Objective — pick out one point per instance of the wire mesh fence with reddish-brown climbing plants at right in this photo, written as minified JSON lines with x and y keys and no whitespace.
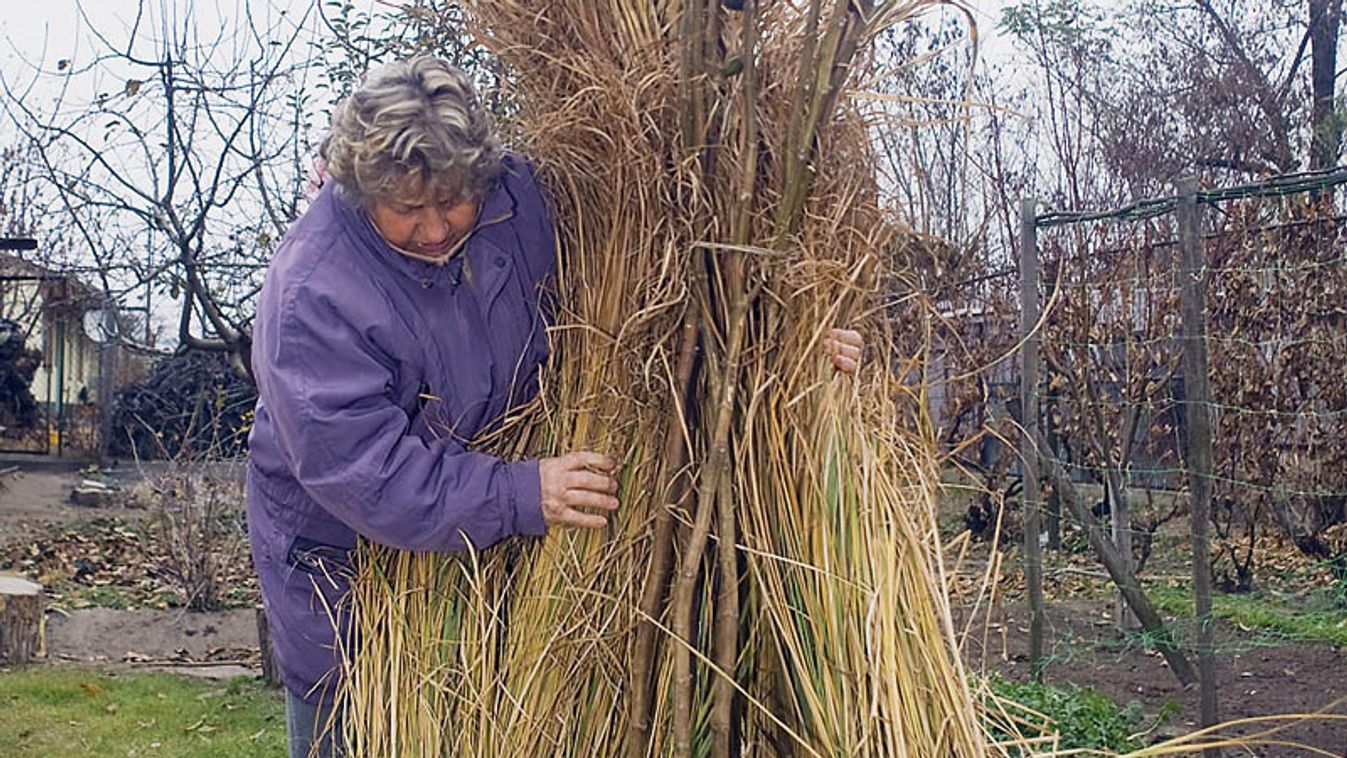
{"x":1245,"y":445}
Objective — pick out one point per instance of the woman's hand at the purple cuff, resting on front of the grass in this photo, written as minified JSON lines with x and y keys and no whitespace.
{"x":577,"y":481}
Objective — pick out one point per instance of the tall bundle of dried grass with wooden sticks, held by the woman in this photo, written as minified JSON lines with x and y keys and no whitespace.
{"x":773,"y":585}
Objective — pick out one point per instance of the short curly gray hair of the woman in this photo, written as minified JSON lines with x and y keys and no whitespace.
{"x":420,"y":120}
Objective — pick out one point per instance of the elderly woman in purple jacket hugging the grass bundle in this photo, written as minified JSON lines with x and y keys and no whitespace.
{"x":401,"y":318}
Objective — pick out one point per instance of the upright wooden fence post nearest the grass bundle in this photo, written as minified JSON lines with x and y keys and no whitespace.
{"x":1030,"y":421}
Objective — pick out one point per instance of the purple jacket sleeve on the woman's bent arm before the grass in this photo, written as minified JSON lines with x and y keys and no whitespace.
{"x":350,"y":445}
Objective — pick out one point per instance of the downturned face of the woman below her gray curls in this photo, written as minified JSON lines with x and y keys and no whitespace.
{"x":425,"y":224}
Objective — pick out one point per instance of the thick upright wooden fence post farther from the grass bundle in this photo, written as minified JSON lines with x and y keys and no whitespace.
{"x":1197,"y":383}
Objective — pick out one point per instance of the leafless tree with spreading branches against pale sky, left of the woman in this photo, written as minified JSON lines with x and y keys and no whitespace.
{"x":181,"y":180}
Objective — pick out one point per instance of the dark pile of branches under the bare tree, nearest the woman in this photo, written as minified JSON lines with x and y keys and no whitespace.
{"x":192,"y":406}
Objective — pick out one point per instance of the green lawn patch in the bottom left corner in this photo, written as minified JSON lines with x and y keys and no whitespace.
{"x":72,"y":713}
